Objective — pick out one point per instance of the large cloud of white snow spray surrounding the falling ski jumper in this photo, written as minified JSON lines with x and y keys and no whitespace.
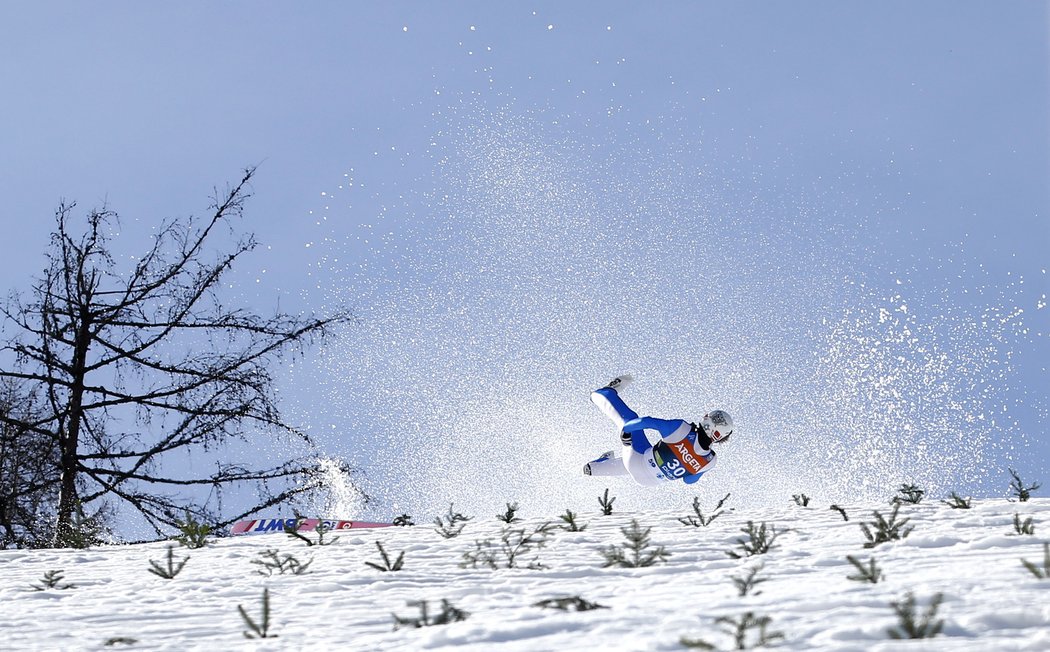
{"x":513,"y":203}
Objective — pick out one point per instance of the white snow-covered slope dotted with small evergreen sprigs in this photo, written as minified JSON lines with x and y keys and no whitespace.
{"x":974,"y":557}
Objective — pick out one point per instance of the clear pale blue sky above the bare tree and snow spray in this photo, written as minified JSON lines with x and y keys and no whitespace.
{"x":885,"y":146}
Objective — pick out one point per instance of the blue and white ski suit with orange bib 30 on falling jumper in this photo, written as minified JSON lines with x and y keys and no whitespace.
{"x":684,"y":452}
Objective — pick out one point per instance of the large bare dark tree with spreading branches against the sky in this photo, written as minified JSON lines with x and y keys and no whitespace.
{"x":134,"y":366}
